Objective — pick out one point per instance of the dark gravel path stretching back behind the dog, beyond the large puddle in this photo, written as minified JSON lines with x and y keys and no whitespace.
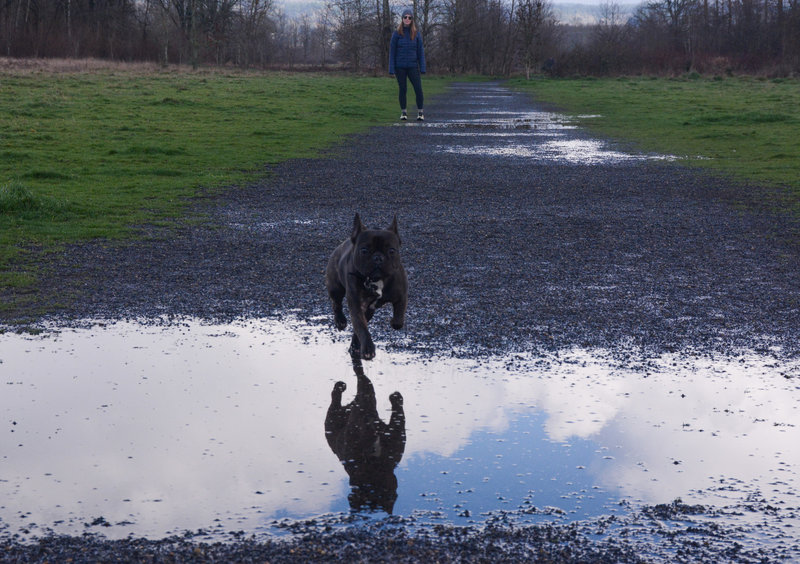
{"x":520,"y":232}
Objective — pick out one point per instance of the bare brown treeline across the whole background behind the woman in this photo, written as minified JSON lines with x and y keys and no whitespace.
{"x":496,"y":37}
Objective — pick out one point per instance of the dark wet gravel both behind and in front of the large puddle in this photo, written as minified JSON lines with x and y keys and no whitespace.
{"x":503,"y":253}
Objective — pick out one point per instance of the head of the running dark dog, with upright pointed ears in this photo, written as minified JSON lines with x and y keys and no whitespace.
{"x":376,"y":253}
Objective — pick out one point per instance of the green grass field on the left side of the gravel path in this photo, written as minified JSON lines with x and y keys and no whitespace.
{"x":87,"y":155}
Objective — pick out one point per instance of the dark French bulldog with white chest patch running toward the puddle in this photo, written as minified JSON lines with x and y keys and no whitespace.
{"x":366,"y":269}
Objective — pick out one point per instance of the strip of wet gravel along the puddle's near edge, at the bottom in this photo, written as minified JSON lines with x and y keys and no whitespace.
{"x":664,"y":533}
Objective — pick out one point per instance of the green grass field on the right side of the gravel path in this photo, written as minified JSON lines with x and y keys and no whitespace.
{"x":745,"y":127}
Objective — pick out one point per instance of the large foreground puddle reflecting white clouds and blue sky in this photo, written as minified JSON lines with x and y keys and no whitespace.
{"x":147,"y":429}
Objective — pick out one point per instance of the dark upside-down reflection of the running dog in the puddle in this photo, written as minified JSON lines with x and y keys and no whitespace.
{"x":368,"y":448}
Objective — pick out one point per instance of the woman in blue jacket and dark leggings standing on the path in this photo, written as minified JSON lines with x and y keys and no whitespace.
{"x":407,"y":61}
